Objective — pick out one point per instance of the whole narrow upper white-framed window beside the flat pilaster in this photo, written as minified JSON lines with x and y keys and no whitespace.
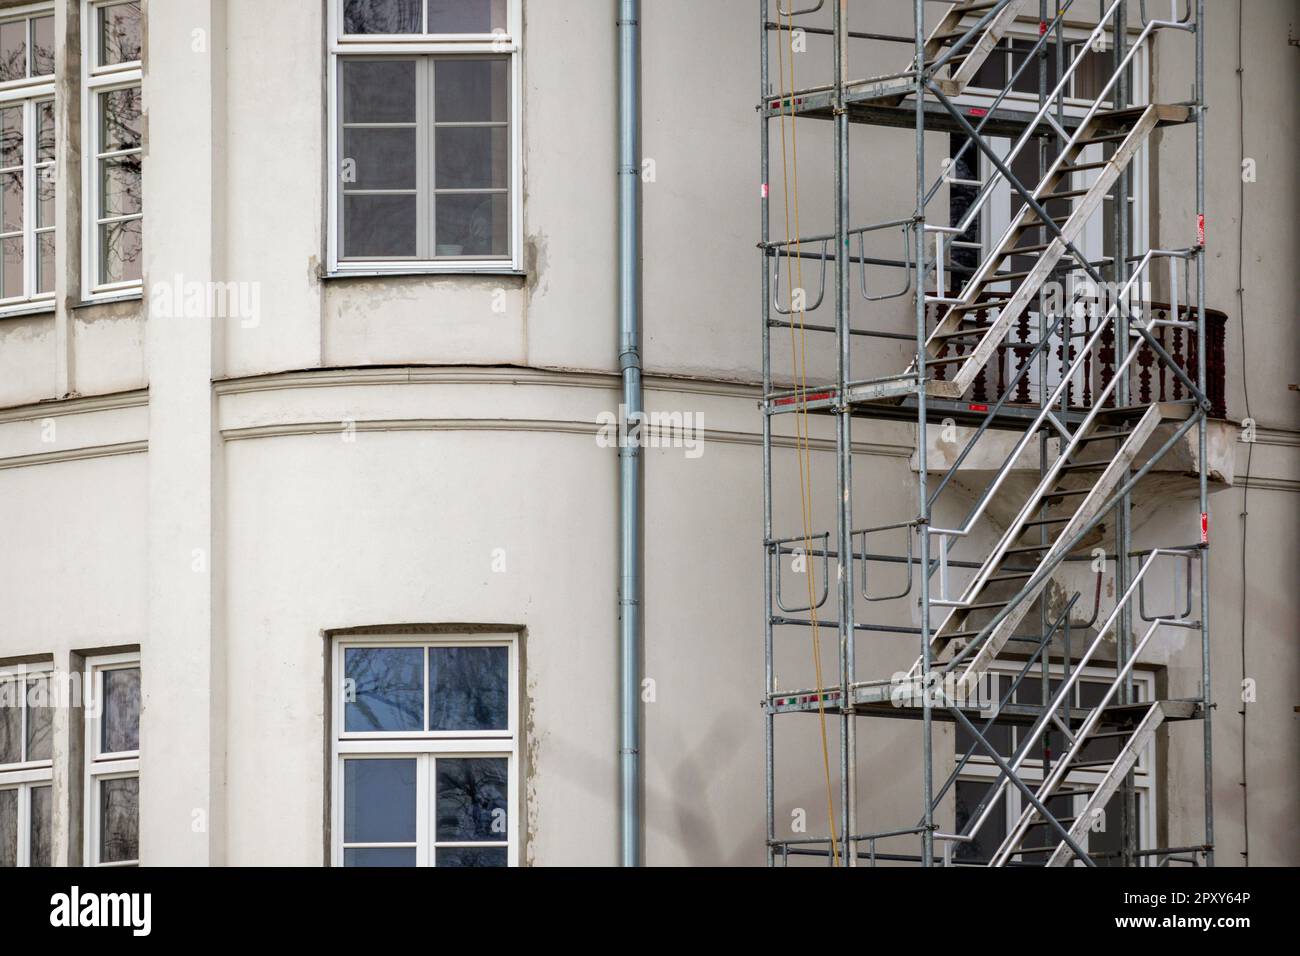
{"x":112,"y":135}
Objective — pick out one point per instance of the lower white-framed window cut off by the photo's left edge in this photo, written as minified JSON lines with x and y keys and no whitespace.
{"x":27,"y":765}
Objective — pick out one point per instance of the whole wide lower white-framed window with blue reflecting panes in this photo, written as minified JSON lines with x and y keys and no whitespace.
{"x":426,"y":752}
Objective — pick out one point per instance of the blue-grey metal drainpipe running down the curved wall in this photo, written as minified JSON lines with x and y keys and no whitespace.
{"x":630,"y":452}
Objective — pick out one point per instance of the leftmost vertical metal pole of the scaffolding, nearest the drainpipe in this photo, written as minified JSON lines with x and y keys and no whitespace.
{"x":769,"y":665}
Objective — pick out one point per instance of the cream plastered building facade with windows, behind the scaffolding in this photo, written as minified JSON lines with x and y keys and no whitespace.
{"x":309,"y":500}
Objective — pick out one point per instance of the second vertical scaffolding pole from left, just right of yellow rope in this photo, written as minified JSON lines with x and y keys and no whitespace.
{"x":844,"y":438}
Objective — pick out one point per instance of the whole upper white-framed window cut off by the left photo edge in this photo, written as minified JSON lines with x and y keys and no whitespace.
{"x":27,"y":157}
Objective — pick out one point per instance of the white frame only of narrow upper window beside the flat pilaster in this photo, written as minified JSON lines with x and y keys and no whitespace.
{"x":98,"y":80}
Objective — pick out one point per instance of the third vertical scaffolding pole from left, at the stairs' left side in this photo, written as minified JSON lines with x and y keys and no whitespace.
{"x":918,"y":233}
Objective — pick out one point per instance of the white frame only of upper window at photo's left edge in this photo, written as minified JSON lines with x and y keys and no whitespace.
{"x":29,"y":92}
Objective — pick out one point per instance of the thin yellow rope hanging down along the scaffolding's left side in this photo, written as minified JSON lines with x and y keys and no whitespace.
{"x":799,"y":361}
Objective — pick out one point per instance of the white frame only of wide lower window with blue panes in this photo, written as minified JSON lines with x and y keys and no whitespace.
{"x":427,"y":747}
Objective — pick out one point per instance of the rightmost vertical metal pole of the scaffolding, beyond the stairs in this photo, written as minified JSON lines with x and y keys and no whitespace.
{"x":1207,"y":704}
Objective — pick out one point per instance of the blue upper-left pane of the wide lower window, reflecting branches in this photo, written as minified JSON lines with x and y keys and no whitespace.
{"x":385,"y":690}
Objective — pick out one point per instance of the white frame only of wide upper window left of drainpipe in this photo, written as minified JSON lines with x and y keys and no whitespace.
{"x":378,"y":45}
